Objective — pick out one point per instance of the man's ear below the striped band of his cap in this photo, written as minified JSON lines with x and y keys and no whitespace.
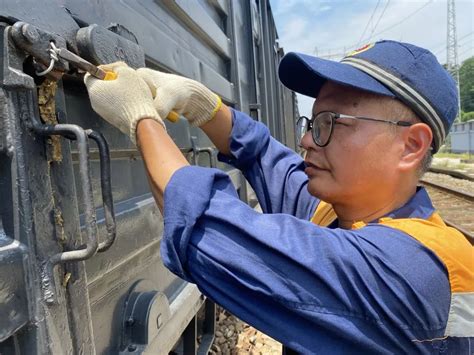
{"x":417,"y":139}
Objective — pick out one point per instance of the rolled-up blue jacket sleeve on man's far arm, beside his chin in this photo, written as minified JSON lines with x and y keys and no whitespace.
{"x":275,"y":172}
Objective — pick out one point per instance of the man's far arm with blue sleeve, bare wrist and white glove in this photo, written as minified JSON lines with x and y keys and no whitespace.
{"x":274,"y":171}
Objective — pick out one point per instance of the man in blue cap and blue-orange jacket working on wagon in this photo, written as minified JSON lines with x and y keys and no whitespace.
{"x":385,"y":274}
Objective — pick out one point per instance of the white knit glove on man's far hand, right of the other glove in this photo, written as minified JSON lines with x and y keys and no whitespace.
{"x":184,"y":96}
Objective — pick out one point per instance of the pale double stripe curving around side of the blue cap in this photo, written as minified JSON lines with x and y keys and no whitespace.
{"x":406,"y":92}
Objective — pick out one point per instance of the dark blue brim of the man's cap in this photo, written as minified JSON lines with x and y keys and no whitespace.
{"x":306,"y":75}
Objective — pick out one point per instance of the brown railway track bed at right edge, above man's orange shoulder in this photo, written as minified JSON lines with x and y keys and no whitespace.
{"x":455,"y":206}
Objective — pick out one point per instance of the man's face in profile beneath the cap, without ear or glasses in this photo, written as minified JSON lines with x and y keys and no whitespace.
{"x":361,"y":158}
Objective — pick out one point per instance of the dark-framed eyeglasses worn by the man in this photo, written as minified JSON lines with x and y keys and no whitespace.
{"x":322,"y":125}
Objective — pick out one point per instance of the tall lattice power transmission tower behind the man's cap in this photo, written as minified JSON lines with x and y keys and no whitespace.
{"x":452,"y":50}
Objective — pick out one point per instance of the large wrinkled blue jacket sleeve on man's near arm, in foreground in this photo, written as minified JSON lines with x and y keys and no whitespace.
{"x":278,"y":272}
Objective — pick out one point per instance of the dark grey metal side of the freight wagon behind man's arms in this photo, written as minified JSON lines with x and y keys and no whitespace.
{"x":231,"y":47}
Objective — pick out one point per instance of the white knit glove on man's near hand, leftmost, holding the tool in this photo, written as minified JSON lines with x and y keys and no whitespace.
{"x":122,"y":102}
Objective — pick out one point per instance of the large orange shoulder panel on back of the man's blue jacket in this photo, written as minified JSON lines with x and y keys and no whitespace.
{"x":447,"y":243}
